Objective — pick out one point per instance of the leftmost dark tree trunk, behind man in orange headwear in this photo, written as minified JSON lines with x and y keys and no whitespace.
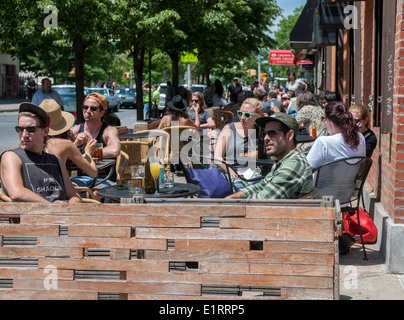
{"x":79,"y":49}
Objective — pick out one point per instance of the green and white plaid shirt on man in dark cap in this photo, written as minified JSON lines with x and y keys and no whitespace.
{"x":289,"y":178}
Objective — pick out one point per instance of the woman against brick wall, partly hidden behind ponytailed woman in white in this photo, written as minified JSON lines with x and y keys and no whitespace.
{"x":361,"y":117}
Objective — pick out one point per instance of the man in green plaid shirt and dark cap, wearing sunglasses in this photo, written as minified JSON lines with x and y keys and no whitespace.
{"x":291,"y":176}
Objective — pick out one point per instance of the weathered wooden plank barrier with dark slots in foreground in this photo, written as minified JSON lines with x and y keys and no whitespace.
{"x":193,"y":249}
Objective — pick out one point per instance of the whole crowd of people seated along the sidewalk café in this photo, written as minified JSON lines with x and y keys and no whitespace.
{"x":48,"y":138}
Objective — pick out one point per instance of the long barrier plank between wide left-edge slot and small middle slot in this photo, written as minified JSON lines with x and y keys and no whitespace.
{"x":90,"y":242}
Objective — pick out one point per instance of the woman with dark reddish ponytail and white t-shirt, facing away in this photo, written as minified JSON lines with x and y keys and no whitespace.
{"x":344,"y":139}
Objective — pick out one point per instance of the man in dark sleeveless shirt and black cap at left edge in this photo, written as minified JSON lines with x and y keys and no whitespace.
{"x":28,"y":173}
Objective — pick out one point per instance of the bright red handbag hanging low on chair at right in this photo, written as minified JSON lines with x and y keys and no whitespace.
{"x":369,"y":230}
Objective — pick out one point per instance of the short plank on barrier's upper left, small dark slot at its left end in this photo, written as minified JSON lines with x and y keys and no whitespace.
{"x":99,"y":231}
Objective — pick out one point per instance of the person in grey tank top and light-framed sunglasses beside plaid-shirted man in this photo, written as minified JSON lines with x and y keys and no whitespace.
{"x":238,"y":138}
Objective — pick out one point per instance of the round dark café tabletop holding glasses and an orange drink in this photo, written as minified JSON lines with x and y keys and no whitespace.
{"x":179,"y":190}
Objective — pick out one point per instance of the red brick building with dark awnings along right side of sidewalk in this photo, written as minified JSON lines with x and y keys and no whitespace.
{"x":358,"y":51}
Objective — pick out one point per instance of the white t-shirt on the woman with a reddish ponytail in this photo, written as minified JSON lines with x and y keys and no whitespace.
{"x":330,"y":148}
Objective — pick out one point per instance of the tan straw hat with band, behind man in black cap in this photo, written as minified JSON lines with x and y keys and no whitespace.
{"x":60,"y":121}
